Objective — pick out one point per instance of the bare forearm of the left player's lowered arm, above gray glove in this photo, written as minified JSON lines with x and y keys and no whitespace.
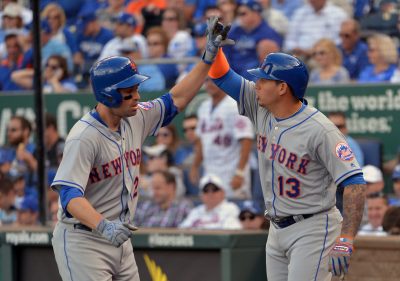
{"x":81,"y":209}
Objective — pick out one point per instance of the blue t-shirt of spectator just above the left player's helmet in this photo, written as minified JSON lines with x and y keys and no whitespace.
{"x":91,"y":46}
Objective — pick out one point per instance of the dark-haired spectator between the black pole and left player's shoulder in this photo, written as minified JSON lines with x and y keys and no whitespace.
{"x":54,"y":144}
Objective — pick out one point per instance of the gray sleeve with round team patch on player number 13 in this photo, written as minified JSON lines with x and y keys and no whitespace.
{"x":339,"y":159}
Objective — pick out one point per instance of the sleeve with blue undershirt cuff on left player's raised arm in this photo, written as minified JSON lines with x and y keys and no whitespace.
{"x":157,"y":113}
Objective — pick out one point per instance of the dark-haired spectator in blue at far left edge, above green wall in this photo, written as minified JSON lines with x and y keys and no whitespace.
{"x":11,"y":63}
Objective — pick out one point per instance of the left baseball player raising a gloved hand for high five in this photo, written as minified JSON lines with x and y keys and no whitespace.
{"x":98,"y":177}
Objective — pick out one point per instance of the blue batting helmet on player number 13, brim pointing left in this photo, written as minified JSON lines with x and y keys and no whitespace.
{"x":286,"y":68}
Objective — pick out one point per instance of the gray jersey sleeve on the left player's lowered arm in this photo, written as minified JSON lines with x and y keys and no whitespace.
{"x":76,"y":165}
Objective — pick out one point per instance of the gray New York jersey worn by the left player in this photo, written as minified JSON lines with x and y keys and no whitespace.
{"x":104,"y":164}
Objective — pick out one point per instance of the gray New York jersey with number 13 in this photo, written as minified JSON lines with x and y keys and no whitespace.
{"x":300,"y":157}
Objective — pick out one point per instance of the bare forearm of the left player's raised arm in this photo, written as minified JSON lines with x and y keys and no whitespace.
{"x":185,"y":90}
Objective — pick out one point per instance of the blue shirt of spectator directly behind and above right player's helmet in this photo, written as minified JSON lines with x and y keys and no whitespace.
{"x":243,"y":55}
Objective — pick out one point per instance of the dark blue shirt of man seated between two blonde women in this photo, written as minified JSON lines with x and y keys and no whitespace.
{"x":356,"y":60}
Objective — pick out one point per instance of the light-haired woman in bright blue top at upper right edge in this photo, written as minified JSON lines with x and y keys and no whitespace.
{"x":382,"y":54}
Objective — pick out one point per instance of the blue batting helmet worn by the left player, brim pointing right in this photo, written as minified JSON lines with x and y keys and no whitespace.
{"x":111,"y":74}
